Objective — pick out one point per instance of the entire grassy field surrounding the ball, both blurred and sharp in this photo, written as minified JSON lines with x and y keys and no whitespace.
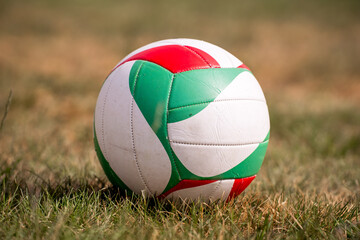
{"x":55,"y":55}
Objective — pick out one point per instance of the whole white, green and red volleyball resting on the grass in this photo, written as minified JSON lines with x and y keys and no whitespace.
{"x":181,"y":118}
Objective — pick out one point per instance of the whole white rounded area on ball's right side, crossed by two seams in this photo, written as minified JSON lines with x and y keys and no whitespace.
{"x":226,"y":132}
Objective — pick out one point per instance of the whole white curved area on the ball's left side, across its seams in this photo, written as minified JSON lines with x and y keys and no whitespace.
{"x":128,"y":143}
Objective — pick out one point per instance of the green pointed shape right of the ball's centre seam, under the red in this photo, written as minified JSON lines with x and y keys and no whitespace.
{"x":193,"y":90}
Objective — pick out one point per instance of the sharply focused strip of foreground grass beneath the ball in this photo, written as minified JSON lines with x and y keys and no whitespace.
{"x":85,"y":208}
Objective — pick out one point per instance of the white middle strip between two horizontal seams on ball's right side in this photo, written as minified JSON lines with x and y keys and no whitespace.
{"x":224,"y":122}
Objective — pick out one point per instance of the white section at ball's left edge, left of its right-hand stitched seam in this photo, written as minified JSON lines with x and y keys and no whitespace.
{"x":112,"y":126}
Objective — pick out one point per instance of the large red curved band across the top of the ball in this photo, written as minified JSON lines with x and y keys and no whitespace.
{"x":177,"y":58}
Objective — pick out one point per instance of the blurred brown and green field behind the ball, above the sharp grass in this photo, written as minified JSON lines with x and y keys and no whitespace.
{"x":54,"y":56}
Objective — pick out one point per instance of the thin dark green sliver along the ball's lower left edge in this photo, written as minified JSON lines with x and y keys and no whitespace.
{"x":112,"y":176}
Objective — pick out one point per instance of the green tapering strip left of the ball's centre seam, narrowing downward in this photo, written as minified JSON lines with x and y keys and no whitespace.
{"x":150,"y":85}
